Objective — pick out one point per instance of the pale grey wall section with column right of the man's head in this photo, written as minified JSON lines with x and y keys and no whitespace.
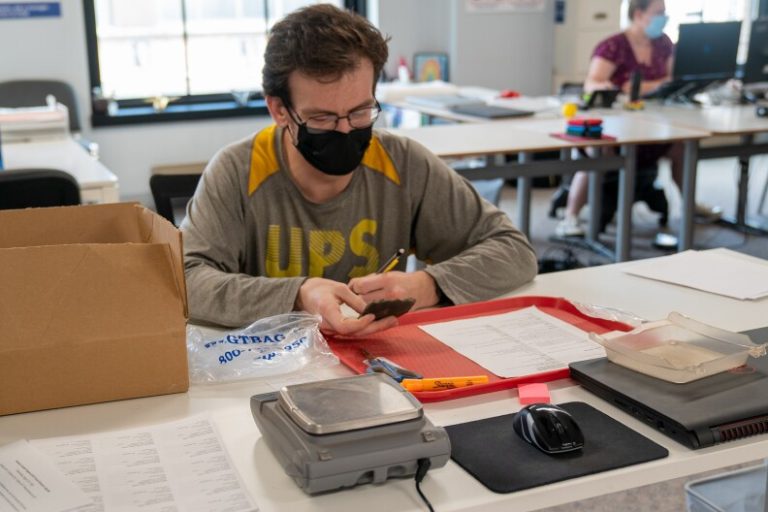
{"x":502,"y":50}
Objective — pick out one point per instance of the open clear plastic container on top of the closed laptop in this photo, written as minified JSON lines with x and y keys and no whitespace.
{"x":679,"y":349}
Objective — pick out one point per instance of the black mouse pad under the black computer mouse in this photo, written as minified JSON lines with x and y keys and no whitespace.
{"x":494,"y":454}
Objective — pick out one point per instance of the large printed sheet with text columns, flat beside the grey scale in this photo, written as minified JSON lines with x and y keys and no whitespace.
{"x":181,"y":465}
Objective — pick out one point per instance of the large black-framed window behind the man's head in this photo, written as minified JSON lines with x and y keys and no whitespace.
{"x":155,"y":60}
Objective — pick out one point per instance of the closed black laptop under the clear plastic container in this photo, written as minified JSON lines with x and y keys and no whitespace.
{"x":713,"y":410}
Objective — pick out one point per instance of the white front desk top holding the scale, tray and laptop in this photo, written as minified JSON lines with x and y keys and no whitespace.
{"x":449,"y":488}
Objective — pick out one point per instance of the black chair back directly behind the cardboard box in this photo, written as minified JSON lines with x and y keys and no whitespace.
{"x":26,"y":188}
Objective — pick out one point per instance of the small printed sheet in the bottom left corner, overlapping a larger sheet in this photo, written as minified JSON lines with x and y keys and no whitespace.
{"x":29,"y":481}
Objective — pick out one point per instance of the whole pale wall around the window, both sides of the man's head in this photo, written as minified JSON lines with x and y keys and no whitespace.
{"x":501,"y":51}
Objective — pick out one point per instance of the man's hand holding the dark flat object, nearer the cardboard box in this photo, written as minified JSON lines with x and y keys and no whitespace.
{"x":324,"y":297}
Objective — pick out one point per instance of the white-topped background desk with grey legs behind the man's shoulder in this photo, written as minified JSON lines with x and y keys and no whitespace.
{"x":532,"y":135}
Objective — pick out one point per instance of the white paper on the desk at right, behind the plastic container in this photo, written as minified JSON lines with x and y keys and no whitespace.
{"x":719,"y":271}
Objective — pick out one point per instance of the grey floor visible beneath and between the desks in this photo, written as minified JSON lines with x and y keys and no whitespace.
{"x":717,"y":180}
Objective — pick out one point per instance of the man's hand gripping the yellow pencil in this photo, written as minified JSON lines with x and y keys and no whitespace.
{"x":397,"y":285}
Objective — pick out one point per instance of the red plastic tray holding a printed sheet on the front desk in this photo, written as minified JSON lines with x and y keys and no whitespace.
{"x":412,"y":348}
